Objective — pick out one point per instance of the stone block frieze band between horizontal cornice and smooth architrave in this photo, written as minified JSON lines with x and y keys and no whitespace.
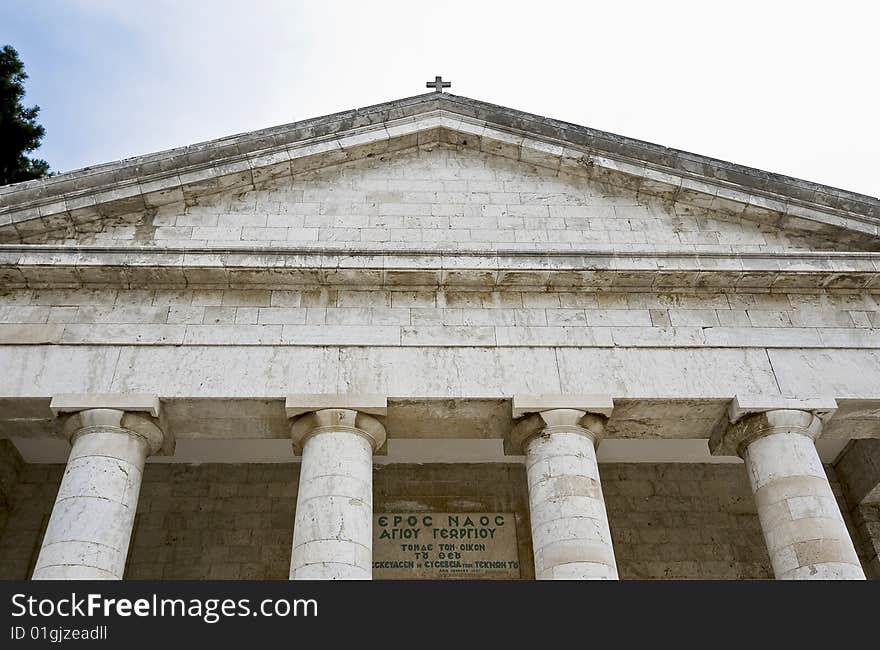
{"x":316,"y":316}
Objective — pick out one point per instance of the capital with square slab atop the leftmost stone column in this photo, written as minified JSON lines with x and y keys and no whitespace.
{"x":136,"y":414}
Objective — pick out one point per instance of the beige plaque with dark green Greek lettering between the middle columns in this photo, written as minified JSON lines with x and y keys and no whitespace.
{"x":435,"y":545}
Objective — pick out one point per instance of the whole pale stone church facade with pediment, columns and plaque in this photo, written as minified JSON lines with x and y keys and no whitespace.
{"x":437,"y":338}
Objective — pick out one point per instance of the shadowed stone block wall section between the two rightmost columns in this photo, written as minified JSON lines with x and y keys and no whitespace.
{"x":685,"y":521}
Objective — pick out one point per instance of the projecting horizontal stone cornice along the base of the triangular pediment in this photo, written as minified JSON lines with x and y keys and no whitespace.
{"x":55,"y":266}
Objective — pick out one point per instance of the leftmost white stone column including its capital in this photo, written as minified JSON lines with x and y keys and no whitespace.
{"x":88,"y":533}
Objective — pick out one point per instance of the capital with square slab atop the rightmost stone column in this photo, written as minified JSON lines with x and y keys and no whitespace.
{"x":749,"y":418}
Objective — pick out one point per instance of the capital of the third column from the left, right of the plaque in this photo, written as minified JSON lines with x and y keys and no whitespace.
{"x":585,"y":415}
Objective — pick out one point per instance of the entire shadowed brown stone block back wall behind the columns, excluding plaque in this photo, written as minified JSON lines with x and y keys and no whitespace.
{"x":689,"y":521}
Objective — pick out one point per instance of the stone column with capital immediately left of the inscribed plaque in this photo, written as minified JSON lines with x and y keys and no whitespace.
{"x":333,"y":525}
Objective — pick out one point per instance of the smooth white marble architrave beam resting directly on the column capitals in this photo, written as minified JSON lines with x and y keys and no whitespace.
{"x":435,"y":372}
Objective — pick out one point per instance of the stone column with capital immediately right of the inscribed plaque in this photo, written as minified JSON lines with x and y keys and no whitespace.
{"x":570,"y":533}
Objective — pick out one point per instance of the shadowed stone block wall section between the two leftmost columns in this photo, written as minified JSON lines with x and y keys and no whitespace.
{"x":214,"y":521}
